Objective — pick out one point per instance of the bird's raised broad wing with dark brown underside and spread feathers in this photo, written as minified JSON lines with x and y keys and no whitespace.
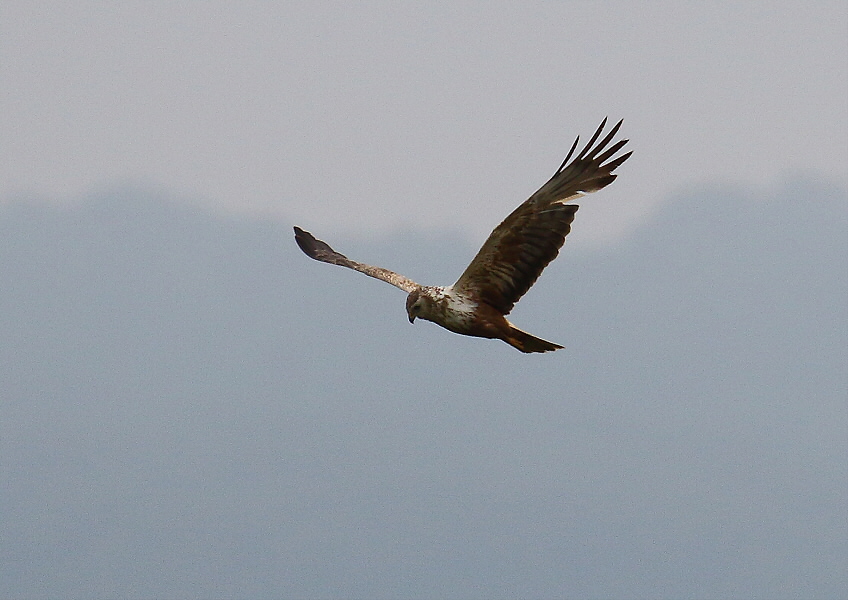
{"x":518,"y":249}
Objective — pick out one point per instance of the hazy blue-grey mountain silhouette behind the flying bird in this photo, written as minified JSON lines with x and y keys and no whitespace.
{"x":191,"y":407}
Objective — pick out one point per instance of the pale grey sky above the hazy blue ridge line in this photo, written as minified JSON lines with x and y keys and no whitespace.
{"x":393,"y":115}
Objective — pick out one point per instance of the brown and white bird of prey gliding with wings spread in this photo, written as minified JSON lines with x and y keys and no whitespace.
{"x":511,"y":259}
